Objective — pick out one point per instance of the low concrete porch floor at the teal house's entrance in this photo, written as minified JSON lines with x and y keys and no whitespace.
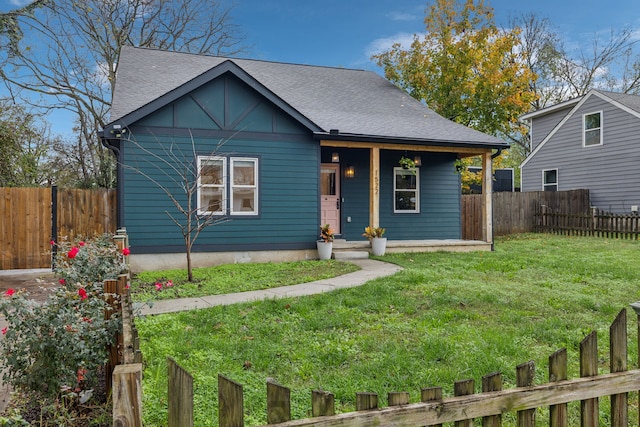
{"x":452,"y":245}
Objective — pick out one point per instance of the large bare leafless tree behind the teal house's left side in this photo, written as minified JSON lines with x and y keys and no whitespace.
{"x":63,"y":54}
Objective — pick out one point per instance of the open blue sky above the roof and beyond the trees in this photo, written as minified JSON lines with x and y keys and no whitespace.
{"x":345,"y":33}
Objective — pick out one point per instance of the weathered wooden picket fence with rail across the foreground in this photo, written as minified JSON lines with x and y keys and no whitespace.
{"x":434,"y":409}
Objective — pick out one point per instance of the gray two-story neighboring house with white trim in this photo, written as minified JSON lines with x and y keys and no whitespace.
{"x":591,"y":142}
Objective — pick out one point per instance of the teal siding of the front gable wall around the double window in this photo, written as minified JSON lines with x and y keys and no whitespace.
{"x":227,"y":111}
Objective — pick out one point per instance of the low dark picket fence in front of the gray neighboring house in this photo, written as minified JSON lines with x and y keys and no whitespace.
{"x":592,"y":223}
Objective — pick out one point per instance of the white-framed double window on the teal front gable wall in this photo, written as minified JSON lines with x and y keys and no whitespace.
{"x":227,"y":185}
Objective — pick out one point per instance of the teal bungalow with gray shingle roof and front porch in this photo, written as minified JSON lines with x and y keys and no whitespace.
{"x":281,"y":149}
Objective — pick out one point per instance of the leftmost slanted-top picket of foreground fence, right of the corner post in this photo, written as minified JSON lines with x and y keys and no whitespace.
{"x":180,"y":391}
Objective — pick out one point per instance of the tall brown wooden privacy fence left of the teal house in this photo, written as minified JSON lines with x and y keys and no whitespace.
{"x":32,"y":217}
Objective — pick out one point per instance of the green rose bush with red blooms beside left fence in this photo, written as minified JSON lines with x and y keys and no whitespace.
{"x":58,"y":346}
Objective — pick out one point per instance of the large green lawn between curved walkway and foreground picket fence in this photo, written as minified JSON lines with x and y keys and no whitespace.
{"x":446,"y":317}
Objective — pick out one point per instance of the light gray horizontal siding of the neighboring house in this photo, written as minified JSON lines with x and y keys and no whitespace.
{"x":609,"y":170}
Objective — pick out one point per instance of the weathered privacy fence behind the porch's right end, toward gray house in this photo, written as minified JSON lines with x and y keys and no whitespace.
{"x":514,"y":212}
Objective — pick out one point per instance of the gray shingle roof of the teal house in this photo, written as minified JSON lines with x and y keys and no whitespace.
{"x":356,"y":102}
